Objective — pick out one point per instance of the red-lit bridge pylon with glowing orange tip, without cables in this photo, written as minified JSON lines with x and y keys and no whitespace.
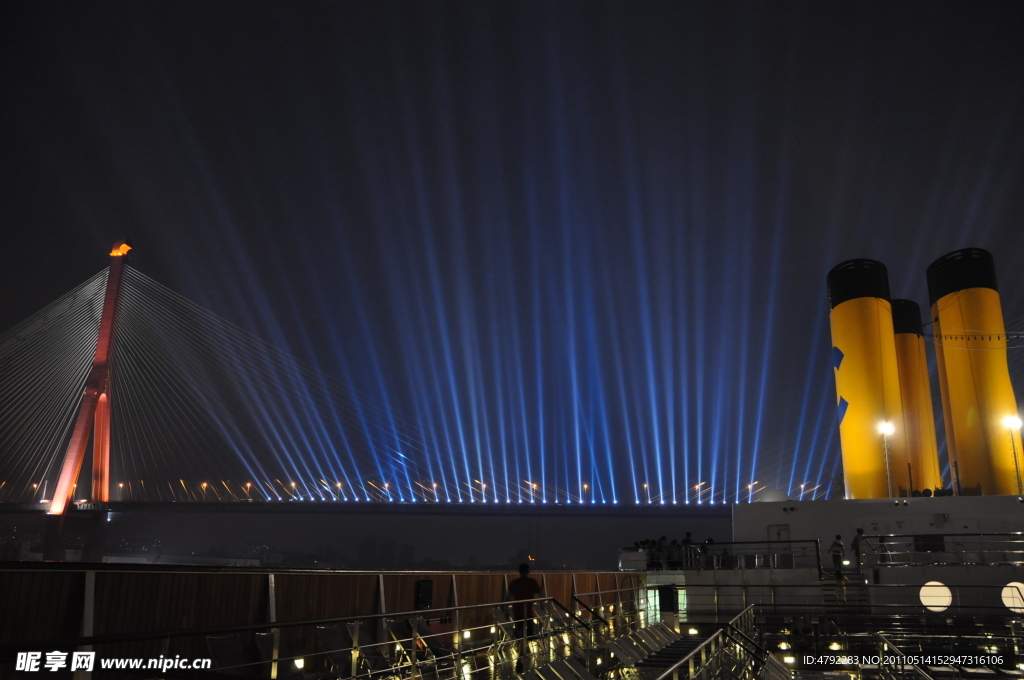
{"x":95,"y":409}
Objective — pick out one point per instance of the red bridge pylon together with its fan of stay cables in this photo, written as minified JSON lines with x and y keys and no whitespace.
{"x":166,"y":402}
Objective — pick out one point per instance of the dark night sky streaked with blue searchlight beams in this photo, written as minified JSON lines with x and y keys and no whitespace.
{"x":589,"y":240}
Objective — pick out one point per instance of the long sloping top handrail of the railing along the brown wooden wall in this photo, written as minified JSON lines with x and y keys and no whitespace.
{"x":191,"y":632}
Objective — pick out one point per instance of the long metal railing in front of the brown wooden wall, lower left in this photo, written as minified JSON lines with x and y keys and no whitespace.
{"x":446,"y":644}
